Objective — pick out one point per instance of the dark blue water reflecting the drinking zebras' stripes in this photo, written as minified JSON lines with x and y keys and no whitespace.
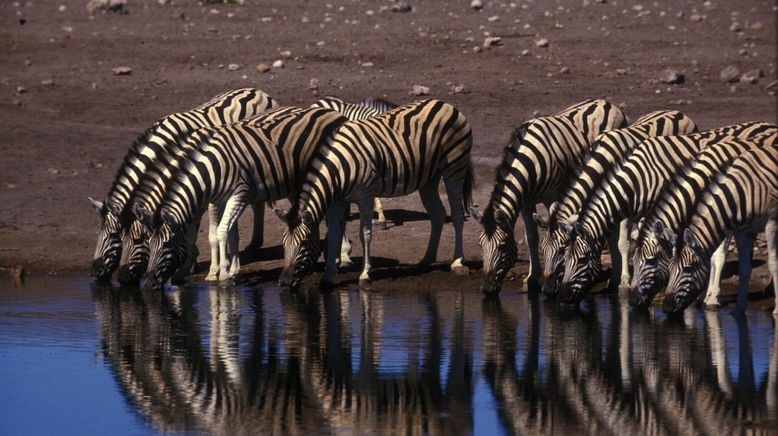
{"x":74,"y":359}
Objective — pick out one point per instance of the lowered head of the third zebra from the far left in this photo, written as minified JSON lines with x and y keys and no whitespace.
{"x":167,"y":248}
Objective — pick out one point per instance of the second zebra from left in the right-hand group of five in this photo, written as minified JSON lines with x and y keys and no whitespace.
{"x":606,"y":151}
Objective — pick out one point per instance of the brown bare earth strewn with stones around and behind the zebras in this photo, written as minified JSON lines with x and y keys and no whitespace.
{"x":67,"y":120}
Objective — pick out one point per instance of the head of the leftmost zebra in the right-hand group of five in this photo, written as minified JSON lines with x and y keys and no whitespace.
{"x":499,"y":247}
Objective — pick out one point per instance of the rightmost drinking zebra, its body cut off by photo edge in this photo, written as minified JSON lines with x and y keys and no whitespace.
{"x":742,"y":199}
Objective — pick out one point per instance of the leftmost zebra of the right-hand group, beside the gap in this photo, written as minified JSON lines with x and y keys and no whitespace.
{"x":542,"y":155}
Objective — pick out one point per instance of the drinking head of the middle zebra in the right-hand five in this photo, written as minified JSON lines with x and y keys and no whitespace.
{"x":582,"y":266}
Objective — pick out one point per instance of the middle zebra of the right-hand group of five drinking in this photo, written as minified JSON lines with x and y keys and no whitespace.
{"x":630,"y":192}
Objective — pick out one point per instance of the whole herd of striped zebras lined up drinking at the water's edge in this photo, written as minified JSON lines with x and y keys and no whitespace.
{"x":597,"y":174}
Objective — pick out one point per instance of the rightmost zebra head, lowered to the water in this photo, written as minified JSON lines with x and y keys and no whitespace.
{"x":689,"y":270}
